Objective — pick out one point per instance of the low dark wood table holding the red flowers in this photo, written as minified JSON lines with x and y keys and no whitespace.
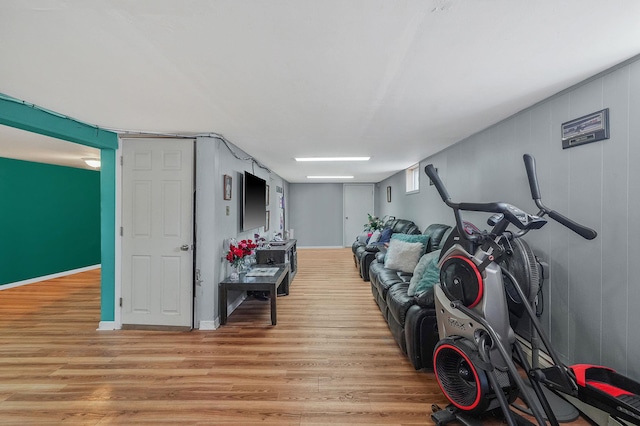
{"x":254,"y":283}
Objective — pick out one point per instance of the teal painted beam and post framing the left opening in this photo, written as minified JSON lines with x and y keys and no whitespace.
{"x":25,"y":116}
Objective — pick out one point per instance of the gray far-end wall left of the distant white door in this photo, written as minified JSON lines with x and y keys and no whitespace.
{"x":315,"y":214}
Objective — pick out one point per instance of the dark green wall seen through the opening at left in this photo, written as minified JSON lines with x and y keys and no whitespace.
{"x":50,"y":219}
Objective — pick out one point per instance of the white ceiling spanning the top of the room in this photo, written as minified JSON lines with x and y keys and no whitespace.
{"x":391,"y":79}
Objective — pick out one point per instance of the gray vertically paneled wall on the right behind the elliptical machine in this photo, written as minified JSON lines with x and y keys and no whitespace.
{"x":592,"y":294}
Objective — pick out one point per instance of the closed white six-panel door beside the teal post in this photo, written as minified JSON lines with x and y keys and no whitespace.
{"x":157,"y":234}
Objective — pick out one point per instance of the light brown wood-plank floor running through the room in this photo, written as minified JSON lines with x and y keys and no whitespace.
{"x":330,"y":360}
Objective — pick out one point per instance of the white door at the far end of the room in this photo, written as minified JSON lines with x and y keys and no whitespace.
{"x":358,"y":201}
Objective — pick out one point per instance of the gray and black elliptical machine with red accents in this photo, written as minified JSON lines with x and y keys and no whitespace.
{"x":488,"y":280}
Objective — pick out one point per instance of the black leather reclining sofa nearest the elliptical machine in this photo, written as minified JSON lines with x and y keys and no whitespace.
{"x":411,"y":319}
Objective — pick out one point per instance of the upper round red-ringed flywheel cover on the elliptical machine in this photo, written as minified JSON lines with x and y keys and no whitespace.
{"x":461,"y":280}
